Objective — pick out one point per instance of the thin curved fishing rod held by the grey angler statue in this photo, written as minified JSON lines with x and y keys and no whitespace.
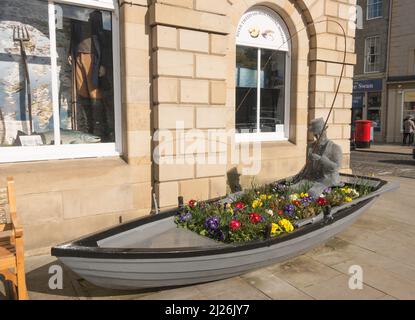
{"x":340,"y":78}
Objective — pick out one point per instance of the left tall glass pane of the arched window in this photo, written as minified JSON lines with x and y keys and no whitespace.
{"x":246,"y":88}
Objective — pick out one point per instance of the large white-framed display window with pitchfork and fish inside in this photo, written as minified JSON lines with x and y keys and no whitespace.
{"x":57,"y":90}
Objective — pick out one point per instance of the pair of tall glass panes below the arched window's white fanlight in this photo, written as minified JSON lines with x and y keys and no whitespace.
{"x":271,"y":98}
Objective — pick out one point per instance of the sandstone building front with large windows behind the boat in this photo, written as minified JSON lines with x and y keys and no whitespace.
{"x":109,"y":110}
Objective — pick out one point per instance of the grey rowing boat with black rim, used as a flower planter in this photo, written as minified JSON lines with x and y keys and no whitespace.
{"x":154,"y":251}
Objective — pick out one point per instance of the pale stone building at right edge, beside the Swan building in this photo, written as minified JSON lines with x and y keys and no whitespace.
{"x":401,"y":68}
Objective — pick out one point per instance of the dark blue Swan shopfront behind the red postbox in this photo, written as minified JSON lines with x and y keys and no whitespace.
{"x":367,"y":104}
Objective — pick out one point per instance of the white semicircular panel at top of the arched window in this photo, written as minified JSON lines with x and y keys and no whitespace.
{"x":263,"y":28}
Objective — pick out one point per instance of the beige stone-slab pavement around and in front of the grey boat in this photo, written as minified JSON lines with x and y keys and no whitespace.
{"x":381,"y":242}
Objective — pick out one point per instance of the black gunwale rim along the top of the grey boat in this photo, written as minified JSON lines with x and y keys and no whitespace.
{"x":87,"y":246}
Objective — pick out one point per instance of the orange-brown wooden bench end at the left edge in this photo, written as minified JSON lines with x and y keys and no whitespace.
{"x":11,"y":243}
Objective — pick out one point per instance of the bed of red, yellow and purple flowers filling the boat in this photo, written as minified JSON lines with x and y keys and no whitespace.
{"x":261,"y":212}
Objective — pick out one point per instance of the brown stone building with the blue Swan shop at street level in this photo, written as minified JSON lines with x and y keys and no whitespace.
{"x":370,"y":74}
